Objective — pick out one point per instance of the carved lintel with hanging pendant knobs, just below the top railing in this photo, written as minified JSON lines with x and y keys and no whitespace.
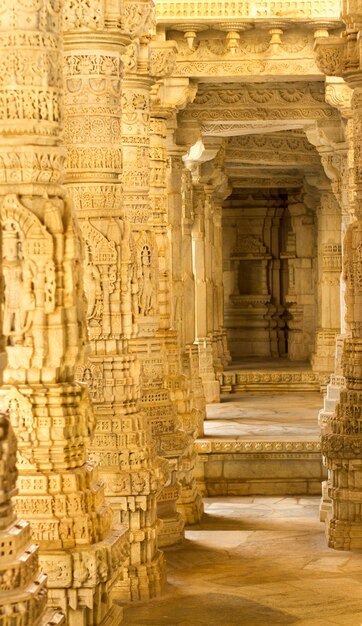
{"x":278,"y":49}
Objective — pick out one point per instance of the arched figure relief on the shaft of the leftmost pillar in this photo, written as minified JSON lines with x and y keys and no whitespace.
{"x":29,"y":283}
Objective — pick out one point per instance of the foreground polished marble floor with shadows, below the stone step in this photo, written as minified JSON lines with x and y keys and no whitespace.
{"x":257,"y":561}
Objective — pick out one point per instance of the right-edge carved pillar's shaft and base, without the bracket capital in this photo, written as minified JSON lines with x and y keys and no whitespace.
{"x":342,"y":441}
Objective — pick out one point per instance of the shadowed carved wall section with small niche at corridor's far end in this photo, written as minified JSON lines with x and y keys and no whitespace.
{"x":251,"y":275}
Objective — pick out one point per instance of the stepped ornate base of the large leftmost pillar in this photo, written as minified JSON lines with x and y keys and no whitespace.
{"x":81,"y":550}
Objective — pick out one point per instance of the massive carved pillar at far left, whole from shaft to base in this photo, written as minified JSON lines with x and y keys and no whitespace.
{"x":44,"y":327}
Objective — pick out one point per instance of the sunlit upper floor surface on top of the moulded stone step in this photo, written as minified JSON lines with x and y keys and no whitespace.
{"x":272,"y":416}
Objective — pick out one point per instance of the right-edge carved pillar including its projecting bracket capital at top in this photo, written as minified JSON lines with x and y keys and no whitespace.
{"x":342,"y":437}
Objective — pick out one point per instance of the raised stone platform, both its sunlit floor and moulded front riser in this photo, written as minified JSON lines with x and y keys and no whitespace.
{"x":261,"y":444}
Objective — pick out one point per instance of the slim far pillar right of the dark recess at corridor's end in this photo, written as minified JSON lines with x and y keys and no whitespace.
{"x":329,"y":269}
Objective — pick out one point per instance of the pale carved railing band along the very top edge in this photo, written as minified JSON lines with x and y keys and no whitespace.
{"x":174,"y":10}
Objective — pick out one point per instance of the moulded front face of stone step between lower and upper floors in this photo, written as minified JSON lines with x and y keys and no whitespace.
{"x":228,"y":467}
